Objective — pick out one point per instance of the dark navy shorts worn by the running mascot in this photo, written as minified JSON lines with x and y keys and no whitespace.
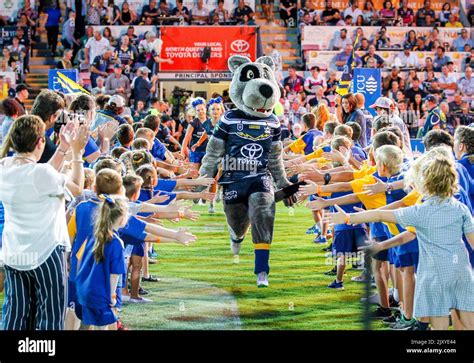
{"x":239,"y":191}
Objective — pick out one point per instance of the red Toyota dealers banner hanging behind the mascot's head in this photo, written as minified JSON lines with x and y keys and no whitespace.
{"x":205,"y":48}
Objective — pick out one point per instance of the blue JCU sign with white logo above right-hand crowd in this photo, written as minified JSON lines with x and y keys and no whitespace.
{"x":368,"y":81}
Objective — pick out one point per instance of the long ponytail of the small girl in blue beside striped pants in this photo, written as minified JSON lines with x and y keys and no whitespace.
{"x":110,"y":211}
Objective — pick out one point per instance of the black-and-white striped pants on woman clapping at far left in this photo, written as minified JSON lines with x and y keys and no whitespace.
{"x":36,"y":299}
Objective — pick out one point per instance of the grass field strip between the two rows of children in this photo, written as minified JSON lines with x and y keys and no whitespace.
{"x":202,"y":287}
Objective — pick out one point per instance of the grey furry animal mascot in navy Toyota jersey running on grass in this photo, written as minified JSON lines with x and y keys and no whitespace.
{"x":247,"y":139}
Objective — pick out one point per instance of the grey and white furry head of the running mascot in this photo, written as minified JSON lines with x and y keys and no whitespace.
{"x":254,"y":88}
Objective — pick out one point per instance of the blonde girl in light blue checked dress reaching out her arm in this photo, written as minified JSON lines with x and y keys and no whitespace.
{"x":444,"y":275}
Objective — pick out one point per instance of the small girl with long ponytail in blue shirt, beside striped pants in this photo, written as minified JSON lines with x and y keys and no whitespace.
{"x":101,"y":267}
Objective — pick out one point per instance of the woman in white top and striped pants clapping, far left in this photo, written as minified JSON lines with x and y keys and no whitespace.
{"x":35,"y":236}
